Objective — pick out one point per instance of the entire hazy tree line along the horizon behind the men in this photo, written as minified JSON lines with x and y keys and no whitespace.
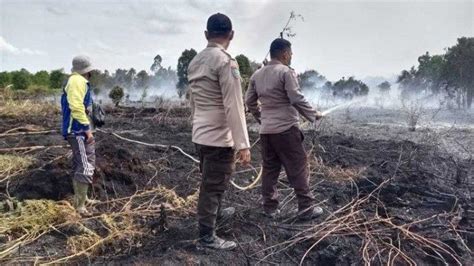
{"x":451,"y":73}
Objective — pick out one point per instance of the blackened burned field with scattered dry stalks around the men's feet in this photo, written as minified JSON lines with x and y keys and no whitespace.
{"x":385,"y":201}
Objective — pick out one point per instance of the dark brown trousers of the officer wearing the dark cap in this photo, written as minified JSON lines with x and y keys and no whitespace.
{"x":216,"y":165}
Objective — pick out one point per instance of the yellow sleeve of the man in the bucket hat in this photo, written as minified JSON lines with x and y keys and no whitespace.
{"x":76,"y":92}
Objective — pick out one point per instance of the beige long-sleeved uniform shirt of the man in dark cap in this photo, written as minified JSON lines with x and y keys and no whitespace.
{"x":216,"y":99}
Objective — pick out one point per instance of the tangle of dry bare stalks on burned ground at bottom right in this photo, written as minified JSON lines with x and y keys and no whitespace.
{"x":384,"y":241}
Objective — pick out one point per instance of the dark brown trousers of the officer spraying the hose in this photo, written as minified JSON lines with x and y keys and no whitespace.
{"x":285,"y":149}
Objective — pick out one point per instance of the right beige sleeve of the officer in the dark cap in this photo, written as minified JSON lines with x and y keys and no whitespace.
{"x":229,"y":80}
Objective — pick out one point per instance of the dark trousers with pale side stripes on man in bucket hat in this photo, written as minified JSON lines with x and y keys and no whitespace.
{"x":83,"y":158}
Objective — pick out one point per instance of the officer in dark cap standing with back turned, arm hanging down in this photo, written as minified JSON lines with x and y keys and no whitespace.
{"x":219,"y":126}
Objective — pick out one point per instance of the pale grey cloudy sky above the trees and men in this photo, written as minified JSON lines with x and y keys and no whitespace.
{"x":337,"y":38}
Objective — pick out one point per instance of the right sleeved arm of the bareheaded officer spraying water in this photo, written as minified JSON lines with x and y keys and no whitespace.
{"x":297,"y":98}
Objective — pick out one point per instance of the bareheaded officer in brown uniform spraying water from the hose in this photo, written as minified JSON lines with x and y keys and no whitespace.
{"x":276,"y":87}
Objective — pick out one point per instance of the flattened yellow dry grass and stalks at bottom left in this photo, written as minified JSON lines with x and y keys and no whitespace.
{"x":117,"y":227}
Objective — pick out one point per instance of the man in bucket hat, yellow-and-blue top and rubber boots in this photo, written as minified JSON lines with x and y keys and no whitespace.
{"x":77,"y":129}
